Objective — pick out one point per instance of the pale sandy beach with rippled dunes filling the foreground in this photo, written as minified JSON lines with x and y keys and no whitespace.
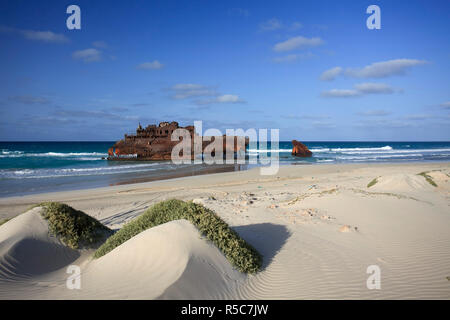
{"x":318,"y":228}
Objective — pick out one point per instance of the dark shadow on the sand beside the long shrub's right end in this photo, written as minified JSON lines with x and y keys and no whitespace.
{"x":267,"y":238}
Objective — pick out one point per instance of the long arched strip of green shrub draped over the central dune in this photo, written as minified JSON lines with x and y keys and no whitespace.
{"x":238,"y":252}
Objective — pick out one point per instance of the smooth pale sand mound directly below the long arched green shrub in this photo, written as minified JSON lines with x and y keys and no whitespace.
{"x":167,"y":261}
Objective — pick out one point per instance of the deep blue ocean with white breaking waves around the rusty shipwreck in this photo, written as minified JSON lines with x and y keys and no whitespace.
{"x":35,"y":167}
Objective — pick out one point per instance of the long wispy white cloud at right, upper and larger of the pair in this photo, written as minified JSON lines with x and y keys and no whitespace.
{"x":385,"y":68}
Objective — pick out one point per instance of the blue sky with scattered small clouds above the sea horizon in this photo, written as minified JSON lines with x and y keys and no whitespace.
{"x":309,"y":68}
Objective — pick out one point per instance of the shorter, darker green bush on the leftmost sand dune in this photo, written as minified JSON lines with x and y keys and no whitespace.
{"x":73,"y":227}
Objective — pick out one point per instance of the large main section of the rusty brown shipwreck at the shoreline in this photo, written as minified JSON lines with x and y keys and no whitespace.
{"x":154,"y":143}
